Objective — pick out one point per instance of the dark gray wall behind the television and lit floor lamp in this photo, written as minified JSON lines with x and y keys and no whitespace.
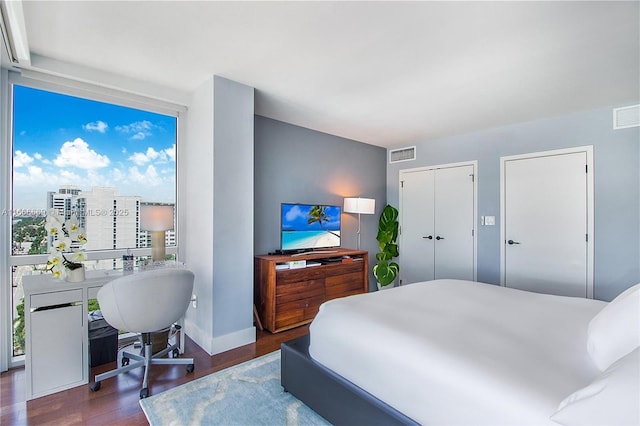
{"x":298,"y":165}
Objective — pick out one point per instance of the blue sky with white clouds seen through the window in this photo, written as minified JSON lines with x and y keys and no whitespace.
{"x":64,"y":140}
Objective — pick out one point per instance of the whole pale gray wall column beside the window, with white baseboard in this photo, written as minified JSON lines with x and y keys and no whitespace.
{"x":215,"y":174}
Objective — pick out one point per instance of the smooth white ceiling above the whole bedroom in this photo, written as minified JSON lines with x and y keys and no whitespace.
{"x":385,"y":73}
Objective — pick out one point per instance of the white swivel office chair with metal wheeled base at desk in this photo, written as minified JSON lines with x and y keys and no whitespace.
{"x":143,"y":303}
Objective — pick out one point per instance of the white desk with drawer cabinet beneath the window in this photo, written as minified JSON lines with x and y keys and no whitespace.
{"x":56,"y":339}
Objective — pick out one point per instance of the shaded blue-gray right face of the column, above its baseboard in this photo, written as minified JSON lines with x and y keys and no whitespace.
{"x":233,"y":208}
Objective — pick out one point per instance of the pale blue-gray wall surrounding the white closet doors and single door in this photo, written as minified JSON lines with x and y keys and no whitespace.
{"x":616,"y":174}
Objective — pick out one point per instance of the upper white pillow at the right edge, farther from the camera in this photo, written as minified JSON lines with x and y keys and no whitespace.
{"x":615,"y":330}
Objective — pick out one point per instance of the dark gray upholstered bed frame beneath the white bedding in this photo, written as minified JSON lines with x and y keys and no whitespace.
{"x":336,"y":399}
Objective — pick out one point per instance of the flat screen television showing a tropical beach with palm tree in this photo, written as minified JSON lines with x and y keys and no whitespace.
{"x":309,"y":227}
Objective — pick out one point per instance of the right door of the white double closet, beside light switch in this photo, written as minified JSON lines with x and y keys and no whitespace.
{"x":454,"y":220}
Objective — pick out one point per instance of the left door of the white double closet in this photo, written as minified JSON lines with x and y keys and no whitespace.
{"x":417,"y":233}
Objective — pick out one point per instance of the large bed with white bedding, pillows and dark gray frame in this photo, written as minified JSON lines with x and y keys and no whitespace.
{"x":461,"y":352}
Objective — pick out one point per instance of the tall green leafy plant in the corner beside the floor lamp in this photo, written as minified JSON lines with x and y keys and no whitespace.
{"x":385,"y":270}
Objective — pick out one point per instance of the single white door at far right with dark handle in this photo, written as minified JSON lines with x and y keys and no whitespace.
{"x":546,"y":217}
